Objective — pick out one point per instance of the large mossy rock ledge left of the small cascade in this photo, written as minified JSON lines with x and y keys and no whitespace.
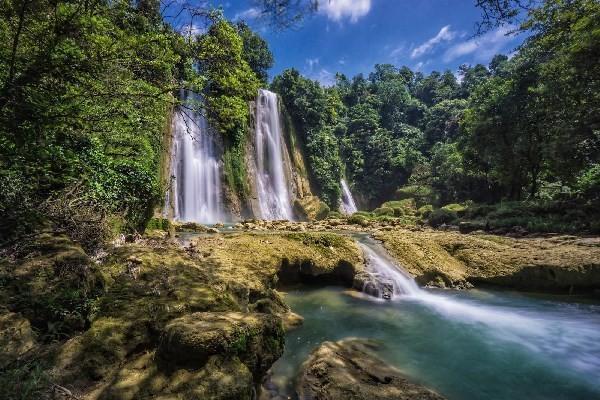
{"x":152,"y":318}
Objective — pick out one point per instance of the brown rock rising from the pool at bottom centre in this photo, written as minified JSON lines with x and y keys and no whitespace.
{"x":348,"y":370}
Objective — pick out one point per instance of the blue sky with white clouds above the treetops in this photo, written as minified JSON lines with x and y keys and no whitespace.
{"x":351,"y":36}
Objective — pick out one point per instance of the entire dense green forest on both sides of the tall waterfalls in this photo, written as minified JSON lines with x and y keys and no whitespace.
{"x":87,"y":89}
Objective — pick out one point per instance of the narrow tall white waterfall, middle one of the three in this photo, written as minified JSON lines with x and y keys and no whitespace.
{"x":273,"y":193}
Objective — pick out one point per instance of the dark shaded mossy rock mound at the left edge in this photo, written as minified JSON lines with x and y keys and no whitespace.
{"x":54,"y":286}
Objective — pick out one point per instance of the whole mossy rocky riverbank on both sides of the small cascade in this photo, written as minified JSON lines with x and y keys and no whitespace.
{"x":199,"y":316}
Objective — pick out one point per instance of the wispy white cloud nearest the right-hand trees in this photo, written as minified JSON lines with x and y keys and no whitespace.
{"x":484,"y":47}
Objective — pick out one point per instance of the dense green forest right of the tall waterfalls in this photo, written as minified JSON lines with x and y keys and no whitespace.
{"x":520,"y":128}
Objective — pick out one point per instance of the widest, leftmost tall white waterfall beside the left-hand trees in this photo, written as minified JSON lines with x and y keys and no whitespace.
{"x":196,"y":189}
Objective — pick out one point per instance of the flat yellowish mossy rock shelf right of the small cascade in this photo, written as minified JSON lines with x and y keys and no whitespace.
{"x":451,"y":258}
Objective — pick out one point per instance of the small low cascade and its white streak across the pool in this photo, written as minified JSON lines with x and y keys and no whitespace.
{"x":549,"y":334}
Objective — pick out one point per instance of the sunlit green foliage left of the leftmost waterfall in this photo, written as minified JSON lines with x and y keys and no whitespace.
{"x":85,"y":94}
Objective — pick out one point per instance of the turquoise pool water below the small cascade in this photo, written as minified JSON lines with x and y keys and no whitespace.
{"x":463,"y":344}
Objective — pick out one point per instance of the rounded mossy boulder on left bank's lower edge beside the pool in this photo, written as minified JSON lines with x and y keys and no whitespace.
{"x":257,"y":339}
